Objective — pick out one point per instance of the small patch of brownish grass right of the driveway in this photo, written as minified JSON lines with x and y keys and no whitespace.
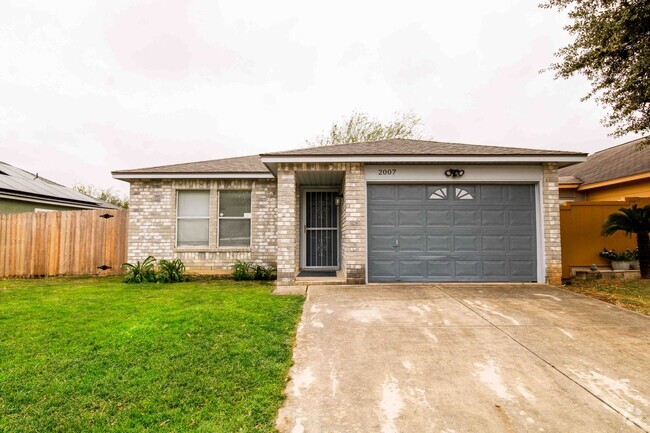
{"x":633,"y":295}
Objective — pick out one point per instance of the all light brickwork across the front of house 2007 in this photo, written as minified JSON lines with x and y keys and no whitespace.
{"x":275,"y":236}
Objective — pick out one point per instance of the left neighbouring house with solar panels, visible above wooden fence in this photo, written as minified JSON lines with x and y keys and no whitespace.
{"x":21,"y":191}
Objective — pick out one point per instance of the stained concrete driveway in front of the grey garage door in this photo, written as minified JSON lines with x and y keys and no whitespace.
{"x":466,"y":358}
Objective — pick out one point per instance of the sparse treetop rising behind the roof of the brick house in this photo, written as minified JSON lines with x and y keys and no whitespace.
{"x":360,"y":127}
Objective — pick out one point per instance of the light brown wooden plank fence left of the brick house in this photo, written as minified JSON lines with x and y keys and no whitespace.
{"x":63,"y":243}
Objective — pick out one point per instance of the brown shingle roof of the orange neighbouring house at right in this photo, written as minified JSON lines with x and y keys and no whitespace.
{"x":613,"y":163}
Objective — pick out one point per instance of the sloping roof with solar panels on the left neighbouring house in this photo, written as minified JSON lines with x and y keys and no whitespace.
{"x":17,"y":182}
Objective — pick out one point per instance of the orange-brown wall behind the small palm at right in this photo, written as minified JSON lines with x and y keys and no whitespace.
{"x":580,"y":226}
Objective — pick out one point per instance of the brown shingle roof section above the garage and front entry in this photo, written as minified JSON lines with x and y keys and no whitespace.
{"x":405,"y":147}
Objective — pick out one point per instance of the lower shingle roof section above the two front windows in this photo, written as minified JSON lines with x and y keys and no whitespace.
{"x":241,"y":164}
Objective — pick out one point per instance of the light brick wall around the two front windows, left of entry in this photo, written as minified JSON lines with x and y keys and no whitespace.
{"x":152,"y":223}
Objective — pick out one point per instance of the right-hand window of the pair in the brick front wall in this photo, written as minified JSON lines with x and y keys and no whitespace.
{"x":234,"y":218}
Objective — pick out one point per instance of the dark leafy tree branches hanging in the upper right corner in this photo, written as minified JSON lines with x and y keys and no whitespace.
{"x":612,"y":49}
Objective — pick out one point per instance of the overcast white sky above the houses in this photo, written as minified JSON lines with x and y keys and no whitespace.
{"x":87,"y":87}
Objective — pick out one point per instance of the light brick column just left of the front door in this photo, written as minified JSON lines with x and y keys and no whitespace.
{"x":287,"y":220}
